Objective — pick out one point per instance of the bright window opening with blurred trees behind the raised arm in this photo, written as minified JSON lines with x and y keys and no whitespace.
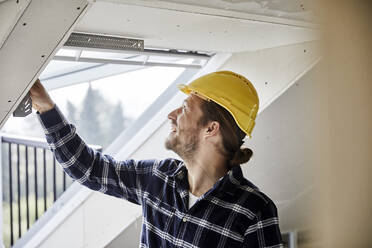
{"x":102,"y":97}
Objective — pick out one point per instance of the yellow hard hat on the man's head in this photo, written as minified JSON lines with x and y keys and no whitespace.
{"x":230,"y":90}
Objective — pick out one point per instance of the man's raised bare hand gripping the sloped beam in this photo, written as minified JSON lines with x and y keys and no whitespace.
{"x":41,"y":100}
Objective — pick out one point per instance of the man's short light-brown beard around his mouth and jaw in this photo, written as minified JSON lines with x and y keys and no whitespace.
{"x":185,"y":144}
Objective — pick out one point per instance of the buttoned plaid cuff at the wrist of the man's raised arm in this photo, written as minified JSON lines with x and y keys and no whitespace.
{"x":52,"y":120}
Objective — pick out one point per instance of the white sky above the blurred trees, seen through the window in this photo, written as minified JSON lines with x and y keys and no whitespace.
{"x":136,"y":90}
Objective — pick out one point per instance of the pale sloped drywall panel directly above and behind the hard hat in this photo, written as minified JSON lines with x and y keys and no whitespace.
{"x":273,"y":71}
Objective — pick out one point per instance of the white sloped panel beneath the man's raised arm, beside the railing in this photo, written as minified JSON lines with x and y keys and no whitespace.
{"x":97,"y":221}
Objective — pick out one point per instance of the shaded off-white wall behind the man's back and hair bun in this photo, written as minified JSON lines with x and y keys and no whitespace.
{"x":286,"y":149}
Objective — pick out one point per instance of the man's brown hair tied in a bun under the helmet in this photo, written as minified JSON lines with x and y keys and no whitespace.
{"x":232,"y":135}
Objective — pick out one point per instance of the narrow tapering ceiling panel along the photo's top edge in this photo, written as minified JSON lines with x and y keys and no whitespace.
{"x":287,"y":12}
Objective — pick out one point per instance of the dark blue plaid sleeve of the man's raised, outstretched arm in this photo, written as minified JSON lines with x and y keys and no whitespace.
{"x":124,"y":179}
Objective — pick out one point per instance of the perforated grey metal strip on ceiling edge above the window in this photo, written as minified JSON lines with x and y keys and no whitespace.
{"x":104,"y":42}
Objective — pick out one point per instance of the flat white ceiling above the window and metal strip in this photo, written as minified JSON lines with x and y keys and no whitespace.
{"x":166,"y":24}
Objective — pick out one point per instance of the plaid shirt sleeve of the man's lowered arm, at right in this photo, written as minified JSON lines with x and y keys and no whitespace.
{"x":264,"y":232}
